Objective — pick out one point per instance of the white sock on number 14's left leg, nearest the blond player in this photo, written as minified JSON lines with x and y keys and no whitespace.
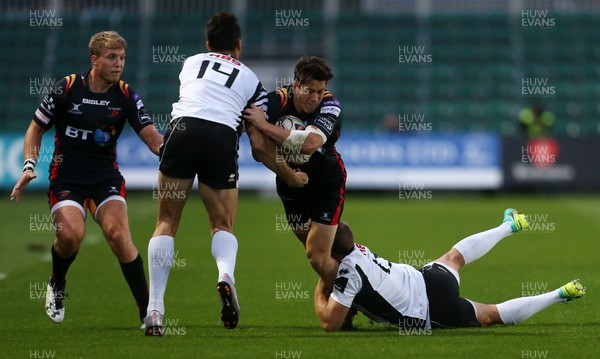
{"x":161,"y":252}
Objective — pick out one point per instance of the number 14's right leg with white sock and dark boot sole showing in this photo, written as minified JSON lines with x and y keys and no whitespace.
{"x":221,"y":205}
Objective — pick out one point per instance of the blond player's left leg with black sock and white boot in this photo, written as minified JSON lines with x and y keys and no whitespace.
{"x":70,"y":231}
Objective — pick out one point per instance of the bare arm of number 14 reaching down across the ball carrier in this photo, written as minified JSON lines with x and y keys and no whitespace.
{"x":263,"y":150}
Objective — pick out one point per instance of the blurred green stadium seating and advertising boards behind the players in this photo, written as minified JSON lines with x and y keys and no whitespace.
{"x":447,"y":118}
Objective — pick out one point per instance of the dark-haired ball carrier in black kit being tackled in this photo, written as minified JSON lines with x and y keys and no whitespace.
{"x":313,"y":211}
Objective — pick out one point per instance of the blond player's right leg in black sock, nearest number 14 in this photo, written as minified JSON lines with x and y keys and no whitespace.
{"x":111,"y":215}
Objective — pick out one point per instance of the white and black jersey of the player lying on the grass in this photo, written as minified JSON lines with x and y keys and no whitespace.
{"x":388,"y":293}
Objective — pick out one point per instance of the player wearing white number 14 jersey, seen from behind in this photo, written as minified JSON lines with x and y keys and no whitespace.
{"x":202,"y":141}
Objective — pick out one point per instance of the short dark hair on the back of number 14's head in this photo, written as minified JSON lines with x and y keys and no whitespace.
{"x":223,"y":32}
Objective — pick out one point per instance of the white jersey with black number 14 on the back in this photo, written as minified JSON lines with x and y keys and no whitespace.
{"x":217,"y":87}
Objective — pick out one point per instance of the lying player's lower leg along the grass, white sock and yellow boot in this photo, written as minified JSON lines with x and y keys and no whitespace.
{"x":519,"y":309}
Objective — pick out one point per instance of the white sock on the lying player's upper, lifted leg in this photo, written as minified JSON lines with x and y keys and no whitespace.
{"x":477,"y":245}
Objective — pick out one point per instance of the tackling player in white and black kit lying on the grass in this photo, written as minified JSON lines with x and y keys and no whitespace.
{"x":399,"y":294}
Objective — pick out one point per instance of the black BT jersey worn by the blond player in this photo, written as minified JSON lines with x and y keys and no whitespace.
{"x":87,"y":127}
